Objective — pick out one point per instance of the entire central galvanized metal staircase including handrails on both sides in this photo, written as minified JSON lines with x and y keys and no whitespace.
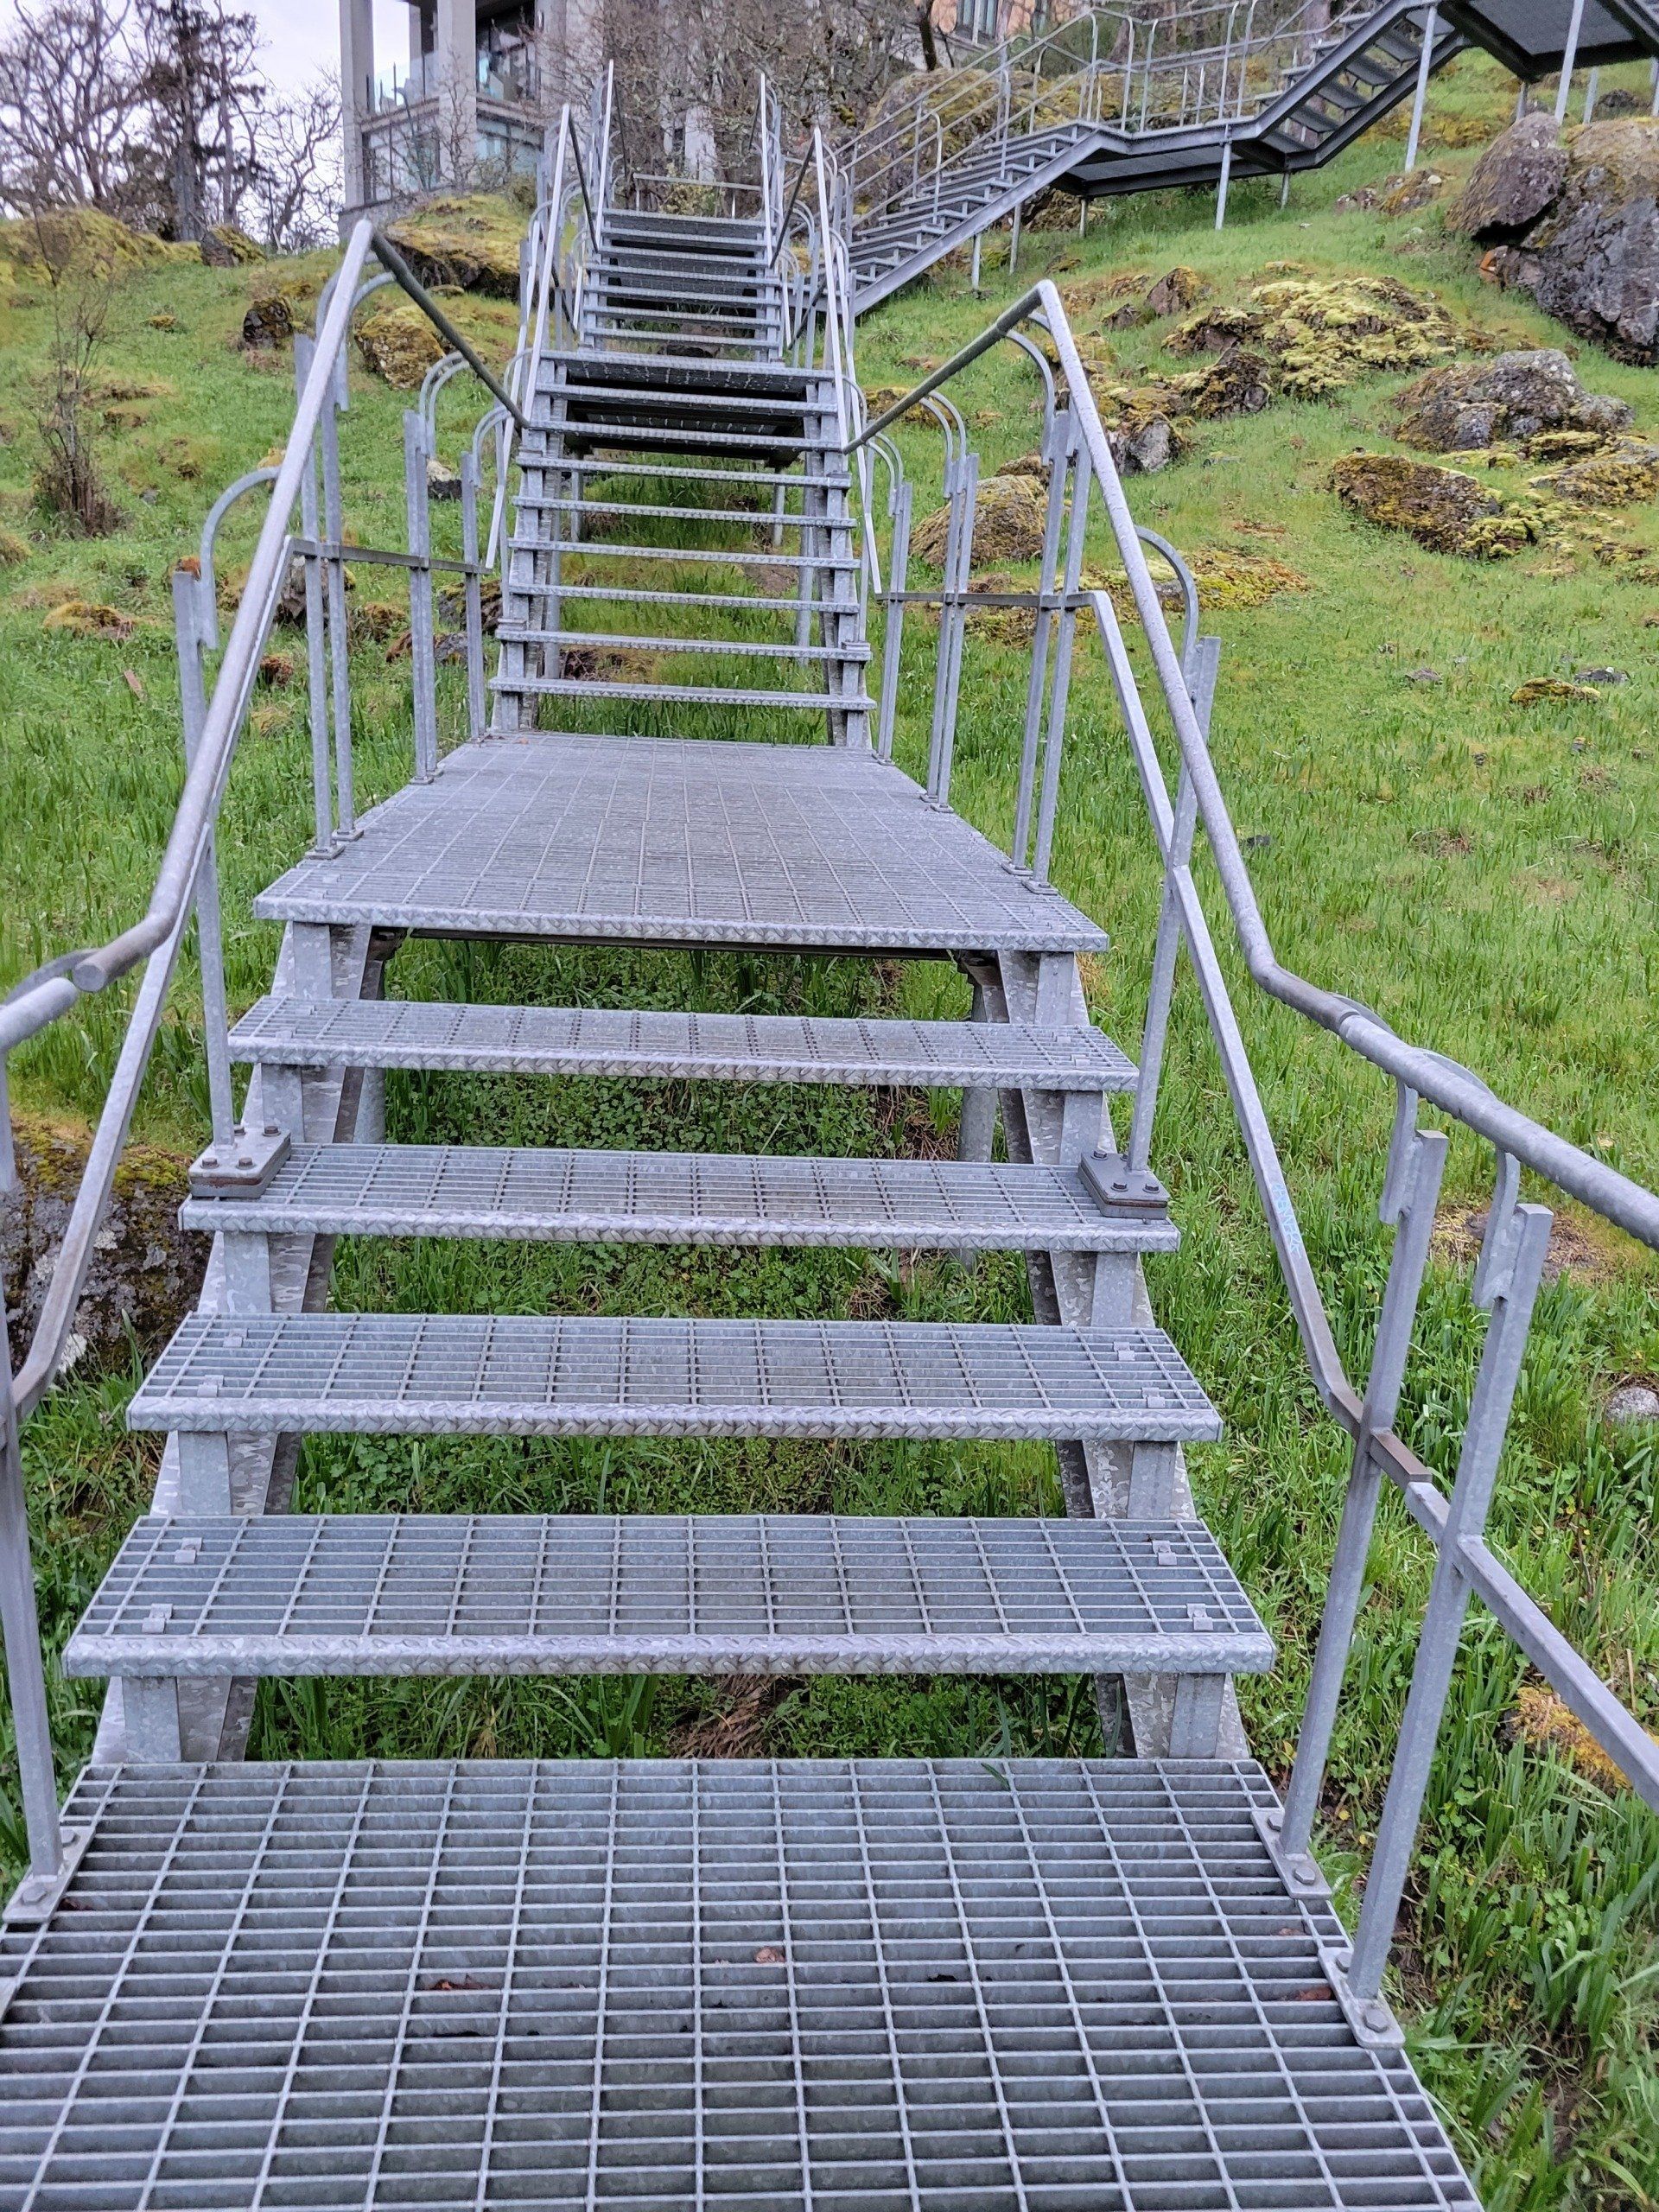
{"x":888,"y":1983}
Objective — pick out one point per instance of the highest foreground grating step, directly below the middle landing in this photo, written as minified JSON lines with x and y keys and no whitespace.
{"x":662,"y":1045}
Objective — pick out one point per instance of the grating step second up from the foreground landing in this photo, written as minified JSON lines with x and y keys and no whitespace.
{"x":452,"y":1375}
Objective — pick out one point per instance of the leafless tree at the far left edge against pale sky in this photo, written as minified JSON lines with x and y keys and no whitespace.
{"x":72,"y":101}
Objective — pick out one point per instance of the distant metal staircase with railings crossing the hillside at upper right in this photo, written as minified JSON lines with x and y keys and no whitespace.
{"x":1198,"y":96}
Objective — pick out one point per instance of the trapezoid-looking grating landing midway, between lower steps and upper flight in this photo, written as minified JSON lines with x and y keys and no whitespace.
{"x":678,"y":842}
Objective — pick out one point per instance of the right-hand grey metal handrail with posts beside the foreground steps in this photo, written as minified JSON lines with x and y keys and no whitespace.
{"x":1514,"y":1246}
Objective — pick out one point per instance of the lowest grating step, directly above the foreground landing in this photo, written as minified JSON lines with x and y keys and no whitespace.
{"x":448,"y":1594}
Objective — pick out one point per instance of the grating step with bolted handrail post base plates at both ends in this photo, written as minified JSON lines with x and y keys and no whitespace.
{"x":676,"y":1198}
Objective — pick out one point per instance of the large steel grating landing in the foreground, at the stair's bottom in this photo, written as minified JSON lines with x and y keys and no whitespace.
{"x":824,"y":1987}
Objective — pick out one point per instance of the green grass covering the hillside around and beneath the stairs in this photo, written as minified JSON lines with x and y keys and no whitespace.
{"x":1481,"y":875}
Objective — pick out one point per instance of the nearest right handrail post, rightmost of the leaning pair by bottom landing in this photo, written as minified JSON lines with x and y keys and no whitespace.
{"x":1519,"y":1242}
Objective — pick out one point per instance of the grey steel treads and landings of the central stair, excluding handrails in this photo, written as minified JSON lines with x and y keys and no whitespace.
{"x":928,"y":1985}
